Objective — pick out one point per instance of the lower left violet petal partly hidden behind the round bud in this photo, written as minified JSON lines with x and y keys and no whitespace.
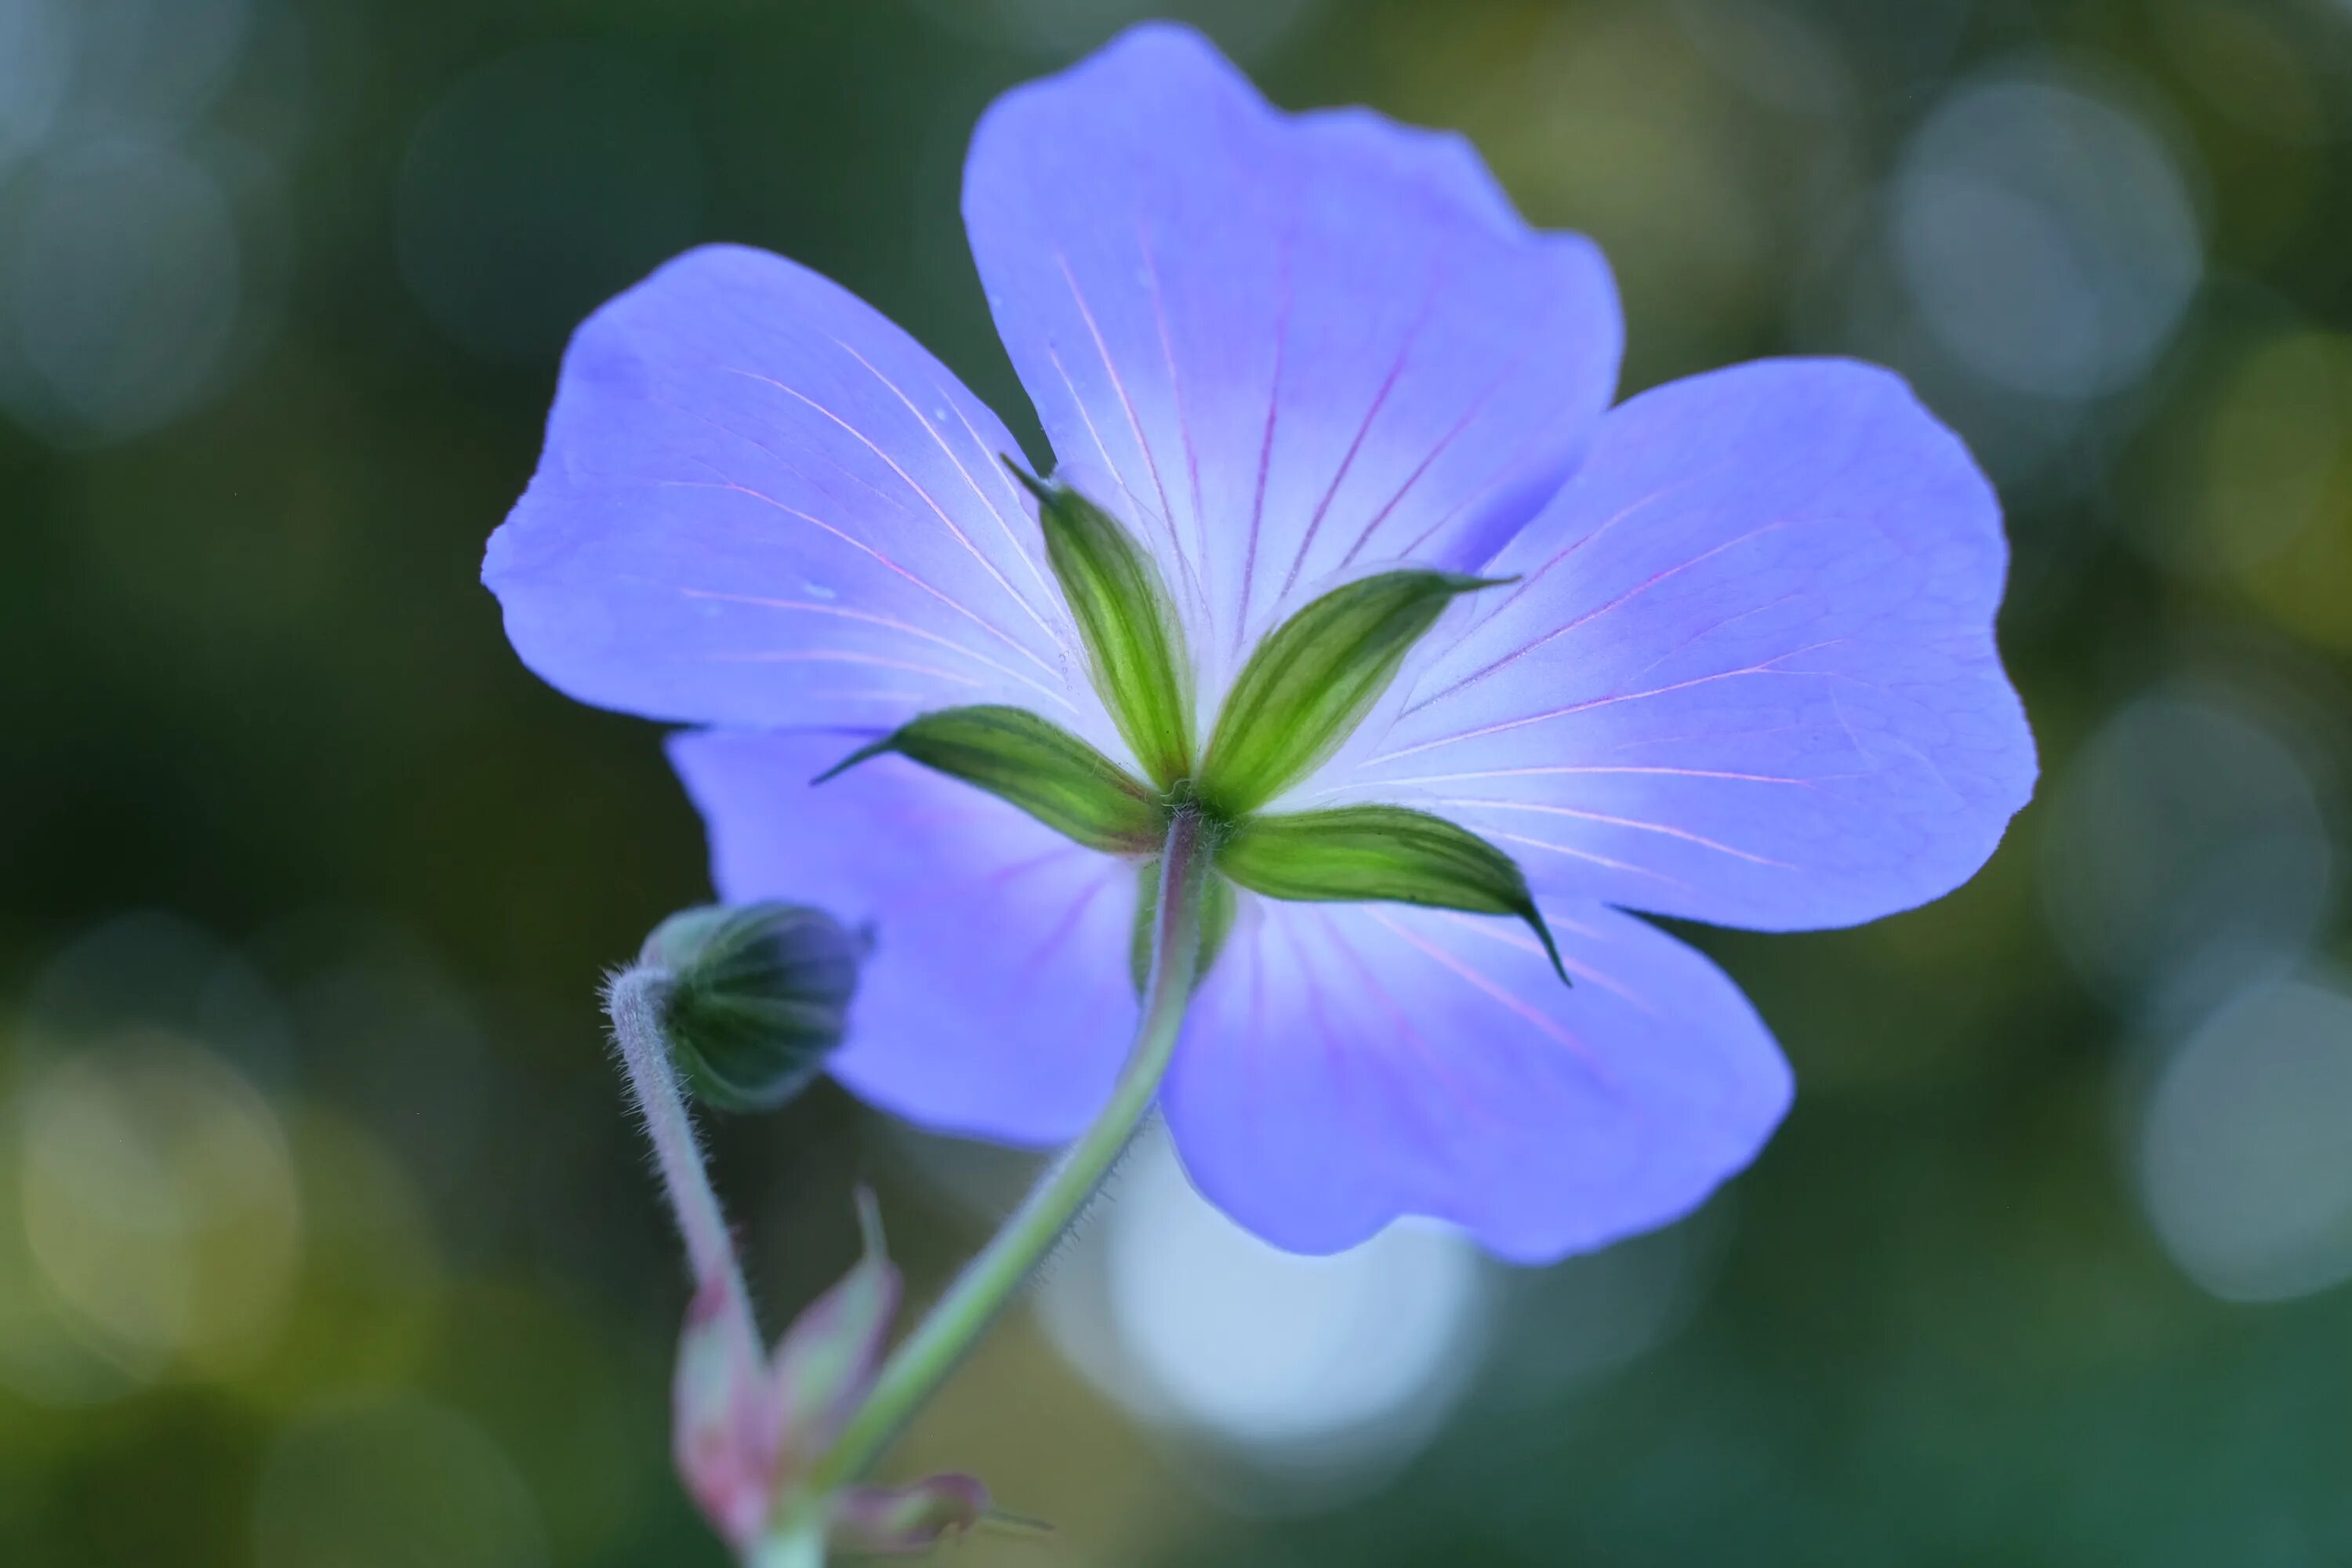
{"x":996,"y":1000}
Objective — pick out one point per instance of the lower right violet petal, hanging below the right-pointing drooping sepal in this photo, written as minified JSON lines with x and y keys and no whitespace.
{"x":1354,"y":1064}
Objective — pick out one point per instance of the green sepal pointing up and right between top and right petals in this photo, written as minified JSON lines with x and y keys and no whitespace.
{"x":1314,"y":681}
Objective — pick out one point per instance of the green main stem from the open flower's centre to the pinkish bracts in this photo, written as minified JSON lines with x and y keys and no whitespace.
{"x":984,"y":1289}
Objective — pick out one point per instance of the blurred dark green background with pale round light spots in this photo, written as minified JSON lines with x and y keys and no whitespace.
{"x":323,"y":1240}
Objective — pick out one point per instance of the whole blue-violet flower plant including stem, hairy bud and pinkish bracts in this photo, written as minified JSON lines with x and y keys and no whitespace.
{"x":1495,"y":671}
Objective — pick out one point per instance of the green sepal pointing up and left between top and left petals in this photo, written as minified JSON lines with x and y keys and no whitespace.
{"x":1128,"y":622}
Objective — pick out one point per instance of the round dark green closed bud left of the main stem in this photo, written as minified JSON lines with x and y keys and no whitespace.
{"x":759,"y":998}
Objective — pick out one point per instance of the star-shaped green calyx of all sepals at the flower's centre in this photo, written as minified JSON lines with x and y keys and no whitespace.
{"x":1297,"y":699}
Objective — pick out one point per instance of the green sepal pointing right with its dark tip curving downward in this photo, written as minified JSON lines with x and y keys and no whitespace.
{"x":1382,"y":855}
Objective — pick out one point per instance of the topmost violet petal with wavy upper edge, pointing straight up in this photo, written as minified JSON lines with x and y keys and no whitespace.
{"x":1295,"y":347}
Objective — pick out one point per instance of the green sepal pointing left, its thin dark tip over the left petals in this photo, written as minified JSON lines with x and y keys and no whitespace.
{"x":1045,"y":770}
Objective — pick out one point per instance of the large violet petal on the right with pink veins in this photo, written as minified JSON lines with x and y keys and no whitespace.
{"x":1749,"y":674}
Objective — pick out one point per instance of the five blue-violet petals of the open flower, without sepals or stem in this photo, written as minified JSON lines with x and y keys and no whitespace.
{"x":1746,"y":671}
